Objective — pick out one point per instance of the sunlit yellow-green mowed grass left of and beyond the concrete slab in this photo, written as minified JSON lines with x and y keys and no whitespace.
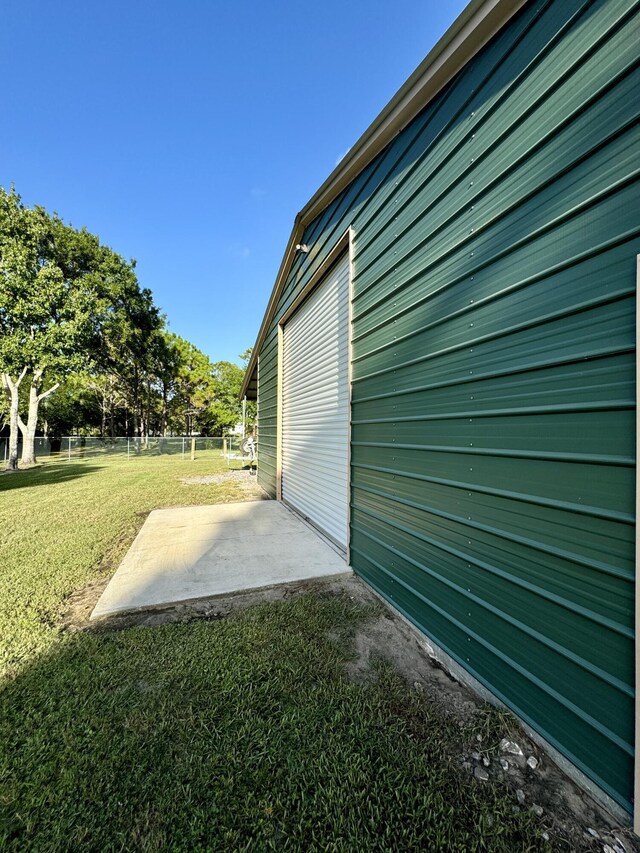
{"x":63,"y":524}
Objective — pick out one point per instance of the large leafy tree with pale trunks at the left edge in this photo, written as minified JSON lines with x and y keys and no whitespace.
{"x":63,"y":295}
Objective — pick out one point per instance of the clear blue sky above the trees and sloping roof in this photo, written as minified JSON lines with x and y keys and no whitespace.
{"x":188,"y":135}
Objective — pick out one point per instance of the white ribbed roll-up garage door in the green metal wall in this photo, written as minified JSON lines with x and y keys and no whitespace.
{"x":315,"y":406}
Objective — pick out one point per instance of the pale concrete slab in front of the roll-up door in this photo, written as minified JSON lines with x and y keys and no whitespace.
{"x":202,"y":551}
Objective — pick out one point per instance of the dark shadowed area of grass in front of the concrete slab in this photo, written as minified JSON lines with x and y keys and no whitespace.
{"x":235,"y":734}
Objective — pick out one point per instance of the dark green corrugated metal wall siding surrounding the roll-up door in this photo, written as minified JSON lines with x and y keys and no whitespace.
{"x":493,"y":417}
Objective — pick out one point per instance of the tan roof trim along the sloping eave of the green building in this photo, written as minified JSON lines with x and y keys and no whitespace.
{"x":471,"y":30}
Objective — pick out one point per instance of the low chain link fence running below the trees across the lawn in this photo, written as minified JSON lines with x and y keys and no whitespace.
{"x":77,"y":447}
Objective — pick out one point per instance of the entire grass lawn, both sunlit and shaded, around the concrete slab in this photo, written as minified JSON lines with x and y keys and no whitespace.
{"x":235,"y":734}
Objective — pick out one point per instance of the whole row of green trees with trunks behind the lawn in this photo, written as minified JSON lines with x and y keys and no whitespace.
{"x":74,"y":319}
